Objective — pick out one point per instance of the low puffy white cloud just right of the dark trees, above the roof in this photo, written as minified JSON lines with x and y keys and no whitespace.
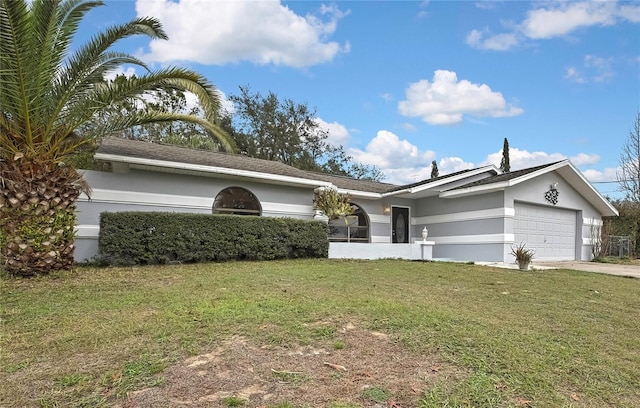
{"x":400,"y":161}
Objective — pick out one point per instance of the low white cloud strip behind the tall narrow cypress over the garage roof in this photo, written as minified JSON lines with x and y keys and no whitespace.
{"x":522,"y":159}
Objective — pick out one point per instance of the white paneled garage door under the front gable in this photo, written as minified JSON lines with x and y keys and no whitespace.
{"x":550,"y":232}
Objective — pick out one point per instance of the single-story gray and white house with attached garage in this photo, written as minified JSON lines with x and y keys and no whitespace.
{"x":471,"y":215}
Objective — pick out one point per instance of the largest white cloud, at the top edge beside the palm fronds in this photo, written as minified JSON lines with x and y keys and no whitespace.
{"x":262,"y":32}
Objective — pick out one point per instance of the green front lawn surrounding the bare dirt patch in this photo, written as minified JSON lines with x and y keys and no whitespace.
{"x":536,"y":339}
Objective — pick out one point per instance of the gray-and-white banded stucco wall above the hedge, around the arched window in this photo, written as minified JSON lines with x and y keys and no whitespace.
{"x":151,"y":191}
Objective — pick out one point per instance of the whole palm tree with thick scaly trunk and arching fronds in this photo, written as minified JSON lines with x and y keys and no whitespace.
{"x":47,"y":92}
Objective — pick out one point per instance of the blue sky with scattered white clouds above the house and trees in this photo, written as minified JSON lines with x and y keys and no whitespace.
{"x":402,"y":83}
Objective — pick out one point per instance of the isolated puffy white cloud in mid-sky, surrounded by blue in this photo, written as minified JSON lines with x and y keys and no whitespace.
{"x":445,"y":100}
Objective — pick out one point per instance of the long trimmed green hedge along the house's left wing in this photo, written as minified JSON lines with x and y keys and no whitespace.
{"x":140,"y":238}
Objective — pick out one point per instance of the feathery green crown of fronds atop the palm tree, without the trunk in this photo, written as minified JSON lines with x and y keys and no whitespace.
{"x":49,"y":92}
